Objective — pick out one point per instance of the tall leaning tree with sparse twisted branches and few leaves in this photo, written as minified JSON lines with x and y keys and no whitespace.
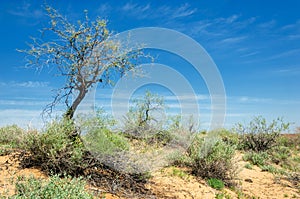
{"x":83,"y":54}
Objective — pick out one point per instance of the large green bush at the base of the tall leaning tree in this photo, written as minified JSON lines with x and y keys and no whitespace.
{"x":55,"y":149}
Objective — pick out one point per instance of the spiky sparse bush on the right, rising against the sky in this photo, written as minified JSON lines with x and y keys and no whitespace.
{"x":260,"y":136}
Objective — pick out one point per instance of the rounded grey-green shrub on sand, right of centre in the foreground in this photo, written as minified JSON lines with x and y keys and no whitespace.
{"x":212,"y":158}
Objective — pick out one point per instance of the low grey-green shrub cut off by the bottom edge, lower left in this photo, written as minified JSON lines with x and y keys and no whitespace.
{"x":55,"y":187}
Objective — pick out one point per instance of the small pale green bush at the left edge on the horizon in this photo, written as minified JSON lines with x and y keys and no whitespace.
{"x":11,"y":135}
